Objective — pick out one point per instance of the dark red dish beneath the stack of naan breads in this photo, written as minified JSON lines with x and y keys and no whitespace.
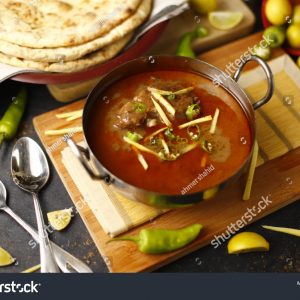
{"x":135,"y":51}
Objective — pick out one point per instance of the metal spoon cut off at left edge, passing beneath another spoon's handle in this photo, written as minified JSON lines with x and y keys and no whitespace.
{"x":65,"y":260}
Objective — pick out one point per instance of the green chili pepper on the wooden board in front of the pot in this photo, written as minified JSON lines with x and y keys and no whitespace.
{"x":155,"y":241}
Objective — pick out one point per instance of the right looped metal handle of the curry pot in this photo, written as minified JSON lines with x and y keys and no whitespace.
{"x":269,"y":75}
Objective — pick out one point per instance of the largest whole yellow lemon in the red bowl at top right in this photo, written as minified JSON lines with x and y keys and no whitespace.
{"x":278,"y":12}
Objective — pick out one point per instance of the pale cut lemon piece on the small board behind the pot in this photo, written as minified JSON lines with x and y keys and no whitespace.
{"x":225,"y":20}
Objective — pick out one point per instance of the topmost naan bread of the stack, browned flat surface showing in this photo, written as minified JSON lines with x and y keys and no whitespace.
{"x":53,"y":23}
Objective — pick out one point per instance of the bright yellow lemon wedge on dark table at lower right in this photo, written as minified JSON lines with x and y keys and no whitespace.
{"x":247,"y":242}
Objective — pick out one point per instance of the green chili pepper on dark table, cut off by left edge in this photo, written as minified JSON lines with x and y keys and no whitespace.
{"x":11,"y":120}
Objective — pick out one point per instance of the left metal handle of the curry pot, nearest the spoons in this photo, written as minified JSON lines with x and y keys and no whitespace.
{"x":83,"y":156}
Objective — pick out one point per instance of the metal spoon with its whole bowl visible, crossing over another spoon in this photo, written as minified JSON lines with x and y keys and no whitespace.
{"x":30,"y":171}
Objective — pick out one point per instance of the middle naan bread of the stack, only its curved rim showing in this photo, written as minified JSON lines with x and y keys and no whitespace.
{"x":76,"y":52}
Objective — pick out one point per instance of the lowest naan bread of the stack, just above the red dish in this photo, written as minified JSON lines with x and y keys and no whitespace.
{"x":86,"y":62}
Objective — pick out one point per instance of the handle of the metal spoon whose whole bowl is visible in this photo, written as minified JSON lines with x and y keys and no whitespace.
{"x":48,"y":264}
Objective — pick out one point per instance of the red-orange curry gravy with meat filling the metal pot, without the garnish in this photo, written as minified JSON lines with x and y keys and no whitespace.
{"x":114,"y":116}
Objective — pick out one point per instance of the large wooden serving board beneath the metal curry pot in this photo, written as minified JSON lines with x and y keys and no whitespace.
{"x":215,"y":215}
